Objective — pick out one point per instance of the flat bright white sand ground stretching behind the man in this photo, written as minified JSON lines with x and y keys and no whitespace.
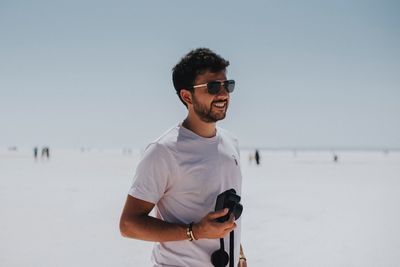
{"x":301,"y":210}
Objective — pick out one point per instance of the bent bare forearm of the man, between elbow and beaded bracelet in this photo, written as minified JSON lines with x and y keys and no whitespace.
{"x":148,"y":228}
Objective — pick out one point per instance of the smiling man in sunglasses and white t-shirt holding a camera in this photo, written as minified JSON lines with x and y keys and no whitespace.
{"x":182,"y":172}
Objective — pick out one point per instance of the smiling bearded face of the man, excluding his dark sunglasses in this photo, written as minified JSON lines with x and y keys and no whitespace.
{"x":210,"y":108}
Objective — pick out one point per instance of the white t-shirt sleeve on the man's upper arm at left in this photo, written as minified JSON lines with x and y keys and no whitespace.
{"x":152,"y":174}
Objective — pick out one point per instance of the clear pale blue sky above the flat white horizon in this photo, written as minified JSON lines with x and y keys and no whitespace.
{"x":309,"y":74}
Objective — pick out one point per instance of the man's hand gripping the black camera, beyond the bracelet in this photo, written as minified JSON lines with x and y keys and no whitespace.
{"x":209,"y":228}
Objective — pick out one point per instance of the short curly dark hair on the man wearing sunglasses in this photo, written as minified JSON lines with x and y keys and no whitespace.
{"x":196,"y":62}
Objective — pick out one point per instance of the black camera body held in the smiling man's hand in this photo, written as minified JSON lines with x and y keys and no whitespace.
{"x":230,"y":200}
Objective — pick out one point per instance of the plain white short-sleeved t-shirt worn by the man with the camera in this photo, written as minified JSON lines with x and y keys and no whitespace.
{"x":182,"y":173}
